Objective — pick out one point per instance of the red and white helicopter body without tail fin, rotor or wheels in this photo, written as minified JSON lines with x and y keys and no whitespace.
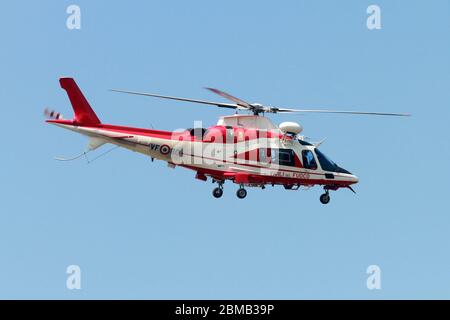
{"x":247,"y":156}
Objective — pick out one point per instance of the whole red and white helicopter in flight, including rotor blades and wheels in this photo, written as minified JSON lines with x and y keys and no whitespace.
{"x":248,"y":150}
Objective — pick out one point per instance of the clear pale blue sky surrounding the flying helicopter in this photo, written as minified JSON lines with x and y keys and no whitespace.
{"x":140,"y":230}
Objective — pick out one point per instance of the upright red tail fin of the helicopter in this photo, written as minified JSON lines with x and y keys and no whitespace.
{"x":84,"y":114}
